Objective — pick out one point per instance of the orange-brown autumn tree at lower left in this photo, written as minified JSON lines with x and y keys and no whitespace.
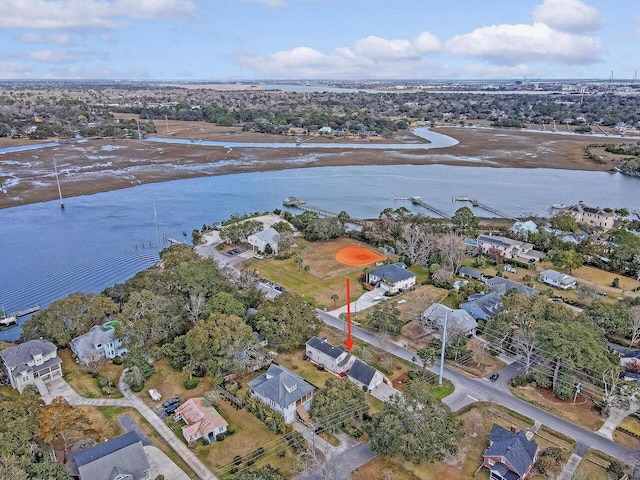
{"x":59,"y":420}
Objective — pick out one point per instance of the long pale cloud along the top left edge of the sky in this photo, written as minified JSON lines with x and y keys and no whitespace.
{"x":85,"y":14}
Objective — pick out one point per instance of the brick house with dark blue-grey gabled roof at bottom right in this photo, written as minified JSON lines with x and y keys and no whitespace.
{"x":509,"y":455}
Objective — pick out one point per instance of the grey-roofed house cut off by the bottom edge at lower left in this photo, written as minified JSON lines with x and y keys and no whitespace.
{"x":121,"y":458}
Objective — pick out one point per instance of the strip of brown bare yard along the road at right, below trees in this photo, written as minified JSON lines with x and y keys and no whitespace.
{"x":581,"y":413}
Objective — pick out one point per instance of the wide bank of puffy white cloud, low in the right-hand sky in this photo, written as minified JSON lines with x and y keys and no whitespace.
{"x":517,"y":44}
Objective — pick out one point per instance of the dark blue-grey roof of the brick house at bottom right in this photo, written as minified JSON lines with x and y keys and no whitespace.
{"x":514,"y":447}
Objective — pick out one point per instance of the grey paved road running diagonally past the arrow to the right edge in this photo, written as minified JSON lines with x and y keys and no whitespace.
{"x":498,"y":392}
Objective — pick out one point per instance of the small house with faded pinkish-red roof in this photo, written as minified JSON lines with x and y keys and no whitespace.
{"x":201,"y":420}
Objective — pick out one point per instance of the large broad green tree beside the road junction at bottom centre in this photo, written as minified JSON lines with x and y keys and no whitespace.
{"x":415,"y":425}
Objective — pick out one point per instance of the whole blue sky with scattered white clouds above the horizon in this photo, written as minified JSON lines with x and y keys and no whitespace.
{"x":318,"y":39}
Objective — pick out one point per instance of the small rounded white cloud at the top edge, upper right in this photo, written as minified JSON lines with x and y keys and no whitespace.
{"x":567,"y":15}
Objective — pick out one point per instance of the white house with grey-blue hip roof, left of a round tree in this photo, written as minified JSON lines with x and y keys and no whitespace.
{"x":284,"y":391}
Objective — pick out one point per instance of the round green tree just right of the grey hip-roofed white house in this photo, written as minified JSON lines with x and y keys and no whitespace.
{"x":337,"y":404}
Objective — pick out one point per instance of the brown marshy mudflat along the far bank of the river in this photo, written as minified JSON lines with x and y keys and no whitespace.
{"x":109,"y":164}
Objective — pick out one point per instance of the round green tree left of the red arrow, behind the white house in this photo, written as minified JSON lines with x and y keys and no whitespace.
{"x":288,"y":321}
